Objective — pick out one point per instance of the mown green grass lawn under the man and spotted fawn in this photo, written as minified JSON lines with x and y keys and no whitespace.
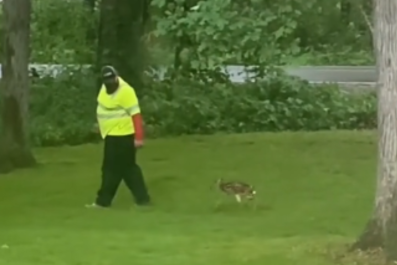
{"x":315,"y":193}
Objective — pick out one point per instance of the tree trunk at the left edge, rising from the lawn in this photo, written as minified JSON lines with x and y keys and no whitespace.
{"x":15,"y":86}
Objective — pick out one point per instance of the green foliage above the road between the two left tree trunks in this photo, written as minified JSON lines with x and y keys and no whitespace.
{"x":63,"y":32}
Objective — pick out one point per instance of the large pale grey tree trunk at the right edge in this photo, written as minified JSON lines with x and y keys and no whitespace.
{"x":381,"y":231}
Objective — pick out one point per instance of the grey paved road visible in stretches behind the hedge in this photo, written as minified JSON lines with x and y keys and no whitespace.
{"x":314,"y":74}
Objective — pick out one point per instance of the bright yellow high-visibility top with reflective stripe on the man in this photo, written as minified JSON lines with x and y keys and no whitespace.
{"x":114,"y":111}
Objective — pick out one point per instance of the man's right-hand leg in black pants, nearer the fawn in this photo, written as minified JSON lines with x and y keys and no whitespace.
{"x":133,"y":176}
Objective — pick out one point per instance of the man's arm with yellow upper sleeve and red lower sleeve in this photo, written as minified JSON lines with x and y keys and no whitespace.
{"x":130,"y":103}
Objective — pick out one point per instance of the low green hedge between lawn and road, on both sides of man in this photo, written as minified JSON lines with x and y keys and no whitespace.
{"x":63,"y":109}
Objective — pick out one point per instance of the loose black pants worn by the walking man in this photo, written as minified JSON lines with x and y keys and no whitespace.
{"x":119,"y":163}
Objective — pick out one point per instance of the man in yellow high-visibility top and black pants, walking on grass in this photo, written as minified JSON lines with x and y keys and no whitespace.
{"x":121,"y":127}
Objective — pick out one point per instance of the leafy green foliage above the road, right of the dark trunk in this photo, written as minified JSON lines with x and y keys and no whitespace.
{"x":257,"y":32}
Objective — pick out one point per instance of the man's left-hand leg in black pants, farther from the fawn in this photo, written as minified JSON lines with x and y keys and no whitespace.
{"x":110,"y":177}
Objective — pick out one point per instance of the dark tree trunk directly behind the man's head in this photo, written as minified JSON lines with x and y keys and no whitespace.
{"x":122,"y":25}
